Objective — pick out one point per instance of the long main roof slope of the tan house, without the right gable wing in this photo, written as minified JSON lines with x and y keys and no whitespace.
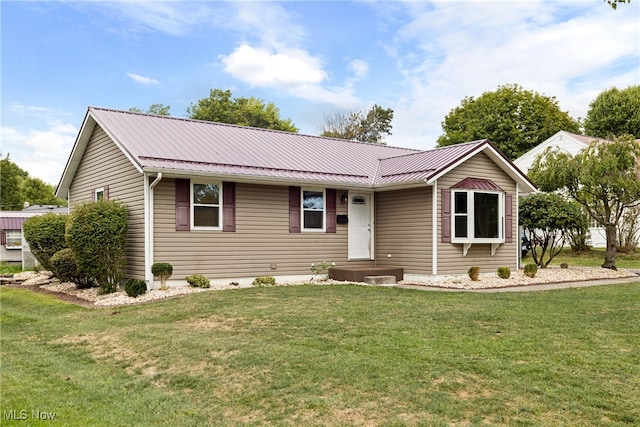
{"x":199,"y":146}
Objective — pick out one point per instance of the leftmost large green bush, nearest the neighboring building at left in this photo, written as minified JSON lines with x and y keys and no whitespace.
{"x":45,"y":235}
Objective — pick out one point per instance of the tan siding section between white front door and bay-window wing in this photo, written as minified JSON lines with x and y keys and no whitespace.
{"x":403,"y":230}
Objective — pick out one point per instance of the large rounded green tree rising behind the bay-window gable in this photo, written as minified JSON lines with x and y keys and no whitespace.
{"x":514,"y":119}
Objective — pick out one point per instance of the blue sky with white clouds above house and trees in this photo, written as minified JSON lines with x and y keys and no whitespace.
{"x":310,"y":58}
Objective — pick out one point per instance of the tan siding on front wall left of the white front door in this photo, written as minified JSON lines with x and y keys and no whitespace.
{"x":261,"y":239}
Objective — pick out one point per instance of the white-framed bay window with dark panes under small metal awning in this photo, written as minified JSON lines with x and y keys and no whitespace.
{"x":477,"y":216}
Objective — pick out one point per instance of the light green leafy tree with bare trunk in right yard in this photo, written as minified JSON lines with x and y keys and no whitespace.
{"x":604,"y":178}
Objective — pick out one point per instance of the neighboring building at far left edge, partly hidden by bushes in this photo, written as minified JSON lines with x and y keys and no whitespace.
{"x":13,"y":249}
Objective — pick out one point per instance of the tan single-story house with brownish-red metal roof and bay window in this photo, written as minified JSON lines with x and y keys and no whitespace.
{"x":234,"y":203}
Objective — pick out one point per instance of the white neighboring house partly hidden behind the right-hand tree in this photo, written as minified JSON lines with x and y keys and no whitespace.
{"x":572,"y":144}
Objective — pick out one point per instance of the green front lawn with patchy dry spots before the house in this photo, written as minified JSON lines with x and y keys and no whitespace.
{"x":327,"y":355}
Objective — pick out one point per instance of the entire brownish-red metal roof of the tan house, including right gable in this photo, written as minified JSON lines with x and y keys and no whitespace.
{"x":182,"y":146}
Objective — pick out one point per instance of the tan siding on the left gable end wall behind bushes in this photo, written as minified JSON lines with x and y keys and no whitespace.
{"x":104,"y":165}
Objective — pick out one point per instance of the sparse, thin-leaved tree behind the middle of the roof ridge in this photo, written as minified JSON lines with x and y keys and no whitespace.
{"x":370,"y":126}
